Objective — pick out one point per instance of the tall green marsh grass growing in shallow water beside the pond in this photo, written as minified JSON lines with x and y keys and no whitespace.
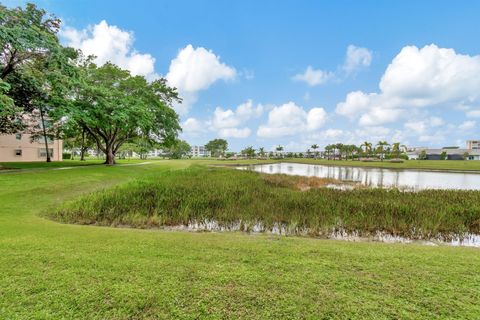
{"x":248,"y":200}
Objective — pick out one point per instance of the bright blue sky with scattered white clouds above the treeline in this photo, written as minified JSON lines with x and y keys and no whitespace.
{"x":264,"y":73}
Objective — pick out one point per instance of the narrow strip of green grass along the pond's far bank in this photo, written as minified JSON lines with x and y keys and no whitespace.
{"x":457,"y":165}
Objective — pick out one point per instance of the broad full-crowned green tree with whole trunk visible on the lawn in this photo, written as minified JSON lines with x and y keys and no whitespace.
{"x":115,"y":107}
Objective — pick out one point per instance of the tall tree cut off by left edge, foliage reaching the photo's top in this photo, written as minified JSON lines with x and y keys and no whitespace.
{"x":31,"y":61}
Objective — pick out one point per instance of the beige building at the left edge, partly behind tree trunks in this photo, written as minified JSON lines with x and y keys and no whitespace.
{"x":19,"y":148}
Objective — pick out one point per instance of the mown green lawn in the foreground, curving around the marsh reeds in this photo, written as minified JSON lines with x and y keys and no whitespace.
{"x":50,"y":270}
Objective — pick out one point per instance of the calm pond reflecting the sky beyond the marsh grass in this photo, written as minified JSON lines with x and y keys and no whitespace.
{"x":408,"y":179}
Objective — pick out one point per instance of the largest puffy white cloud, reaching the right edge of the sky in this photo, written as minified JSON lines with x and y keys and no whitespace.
{"x":416,"y":78}
